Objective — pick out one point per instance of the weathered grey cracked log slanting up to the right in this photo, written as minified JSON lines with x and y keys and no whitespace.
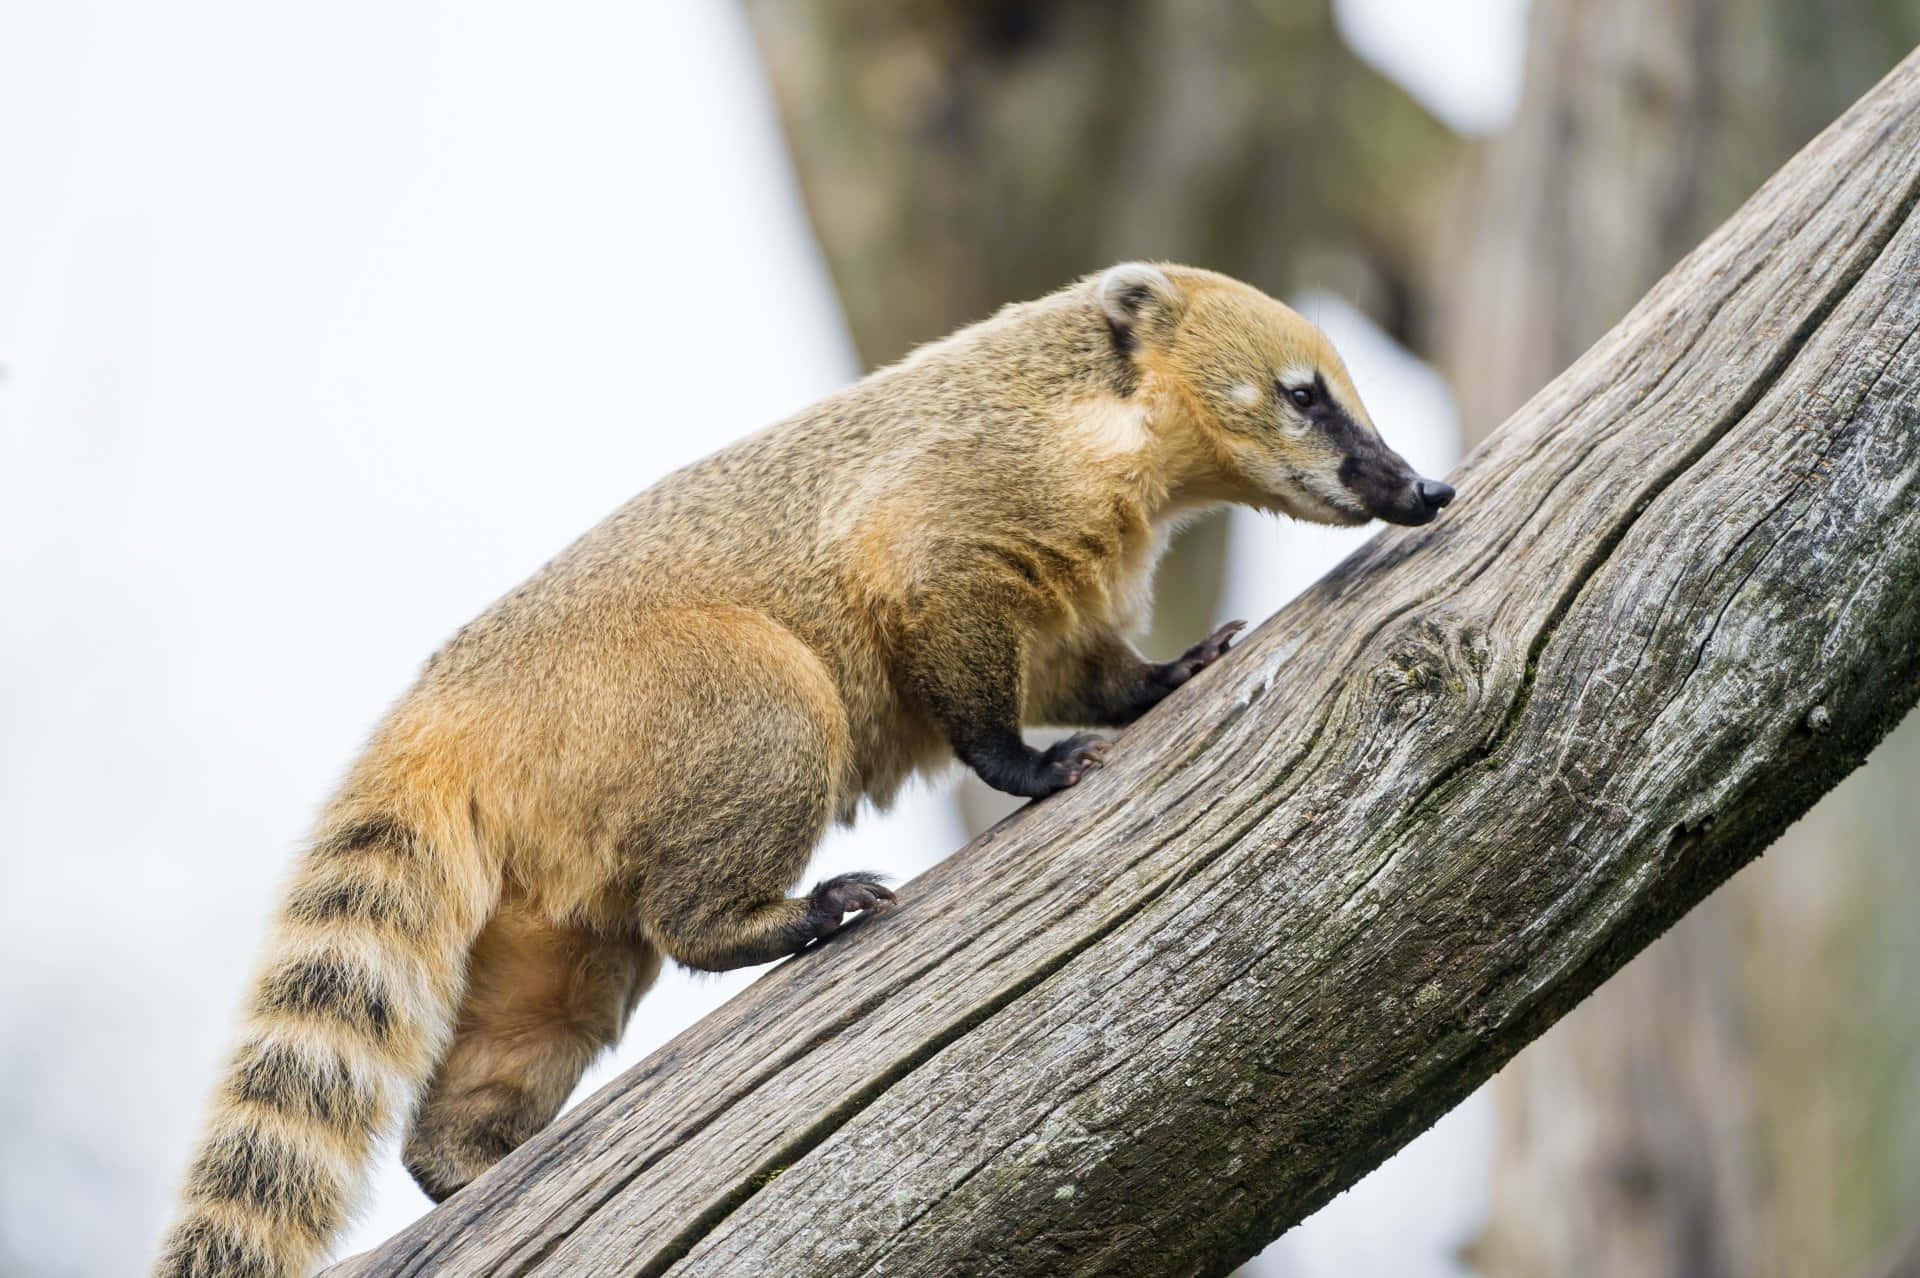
{"x":1328,"y":889}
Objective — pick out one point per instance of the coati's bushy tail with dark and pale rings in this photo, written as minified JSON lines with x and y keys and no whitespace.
{"x":341,"y":1035}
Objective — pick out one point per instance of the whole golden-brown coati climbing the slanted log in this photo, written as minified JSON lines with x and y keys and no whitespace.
{"x":633,"y":755}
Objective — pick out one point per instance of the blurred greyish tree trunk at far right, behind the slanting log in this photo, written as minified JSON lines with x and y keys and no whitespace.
{"x":1740,"y":1100}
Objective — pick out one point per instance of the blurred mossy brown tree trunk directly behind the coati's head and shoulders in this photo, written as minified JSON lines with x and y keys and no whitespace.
{"x":961,"y":154}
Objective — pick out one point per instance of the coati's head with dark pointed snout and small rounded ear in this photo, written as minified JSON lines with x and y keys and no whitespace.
{"x":1268,"y":396}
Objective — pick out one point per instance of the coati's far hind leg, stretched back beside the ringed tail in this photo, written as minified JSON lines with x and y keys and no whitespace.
{"x":540,"y":1005}
